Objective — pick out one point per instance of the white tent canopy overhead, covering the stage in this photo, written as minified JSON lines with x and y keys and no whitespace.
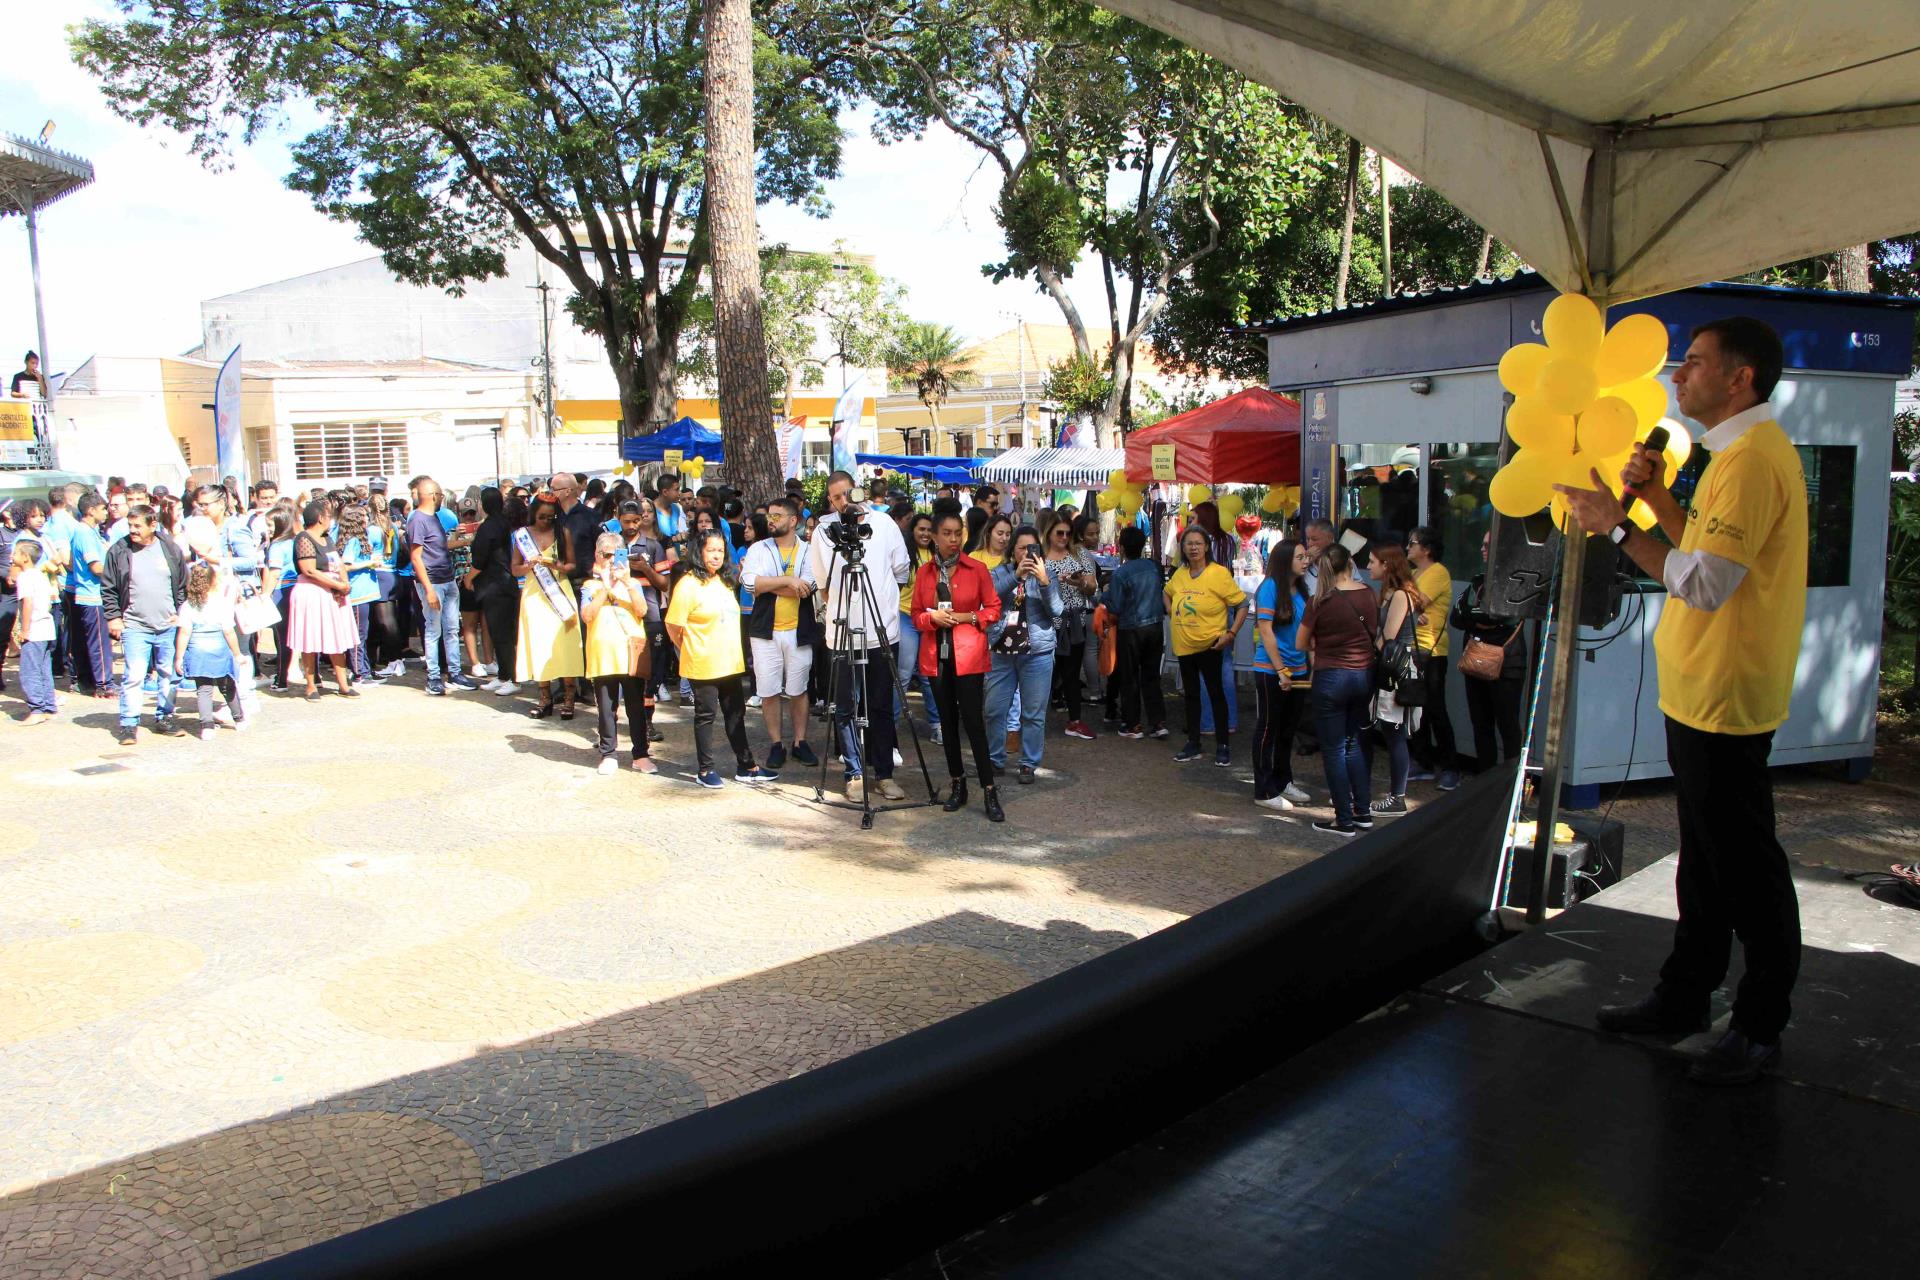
{"x":1621,"y":147}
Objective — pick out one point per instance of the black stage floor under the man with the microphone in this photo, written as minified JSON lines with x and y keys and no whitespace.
{"x":1481,"y":1127}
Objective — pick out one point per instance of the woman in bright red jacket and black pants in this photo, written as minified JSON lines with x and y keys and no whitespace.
{"x":953,"y":607}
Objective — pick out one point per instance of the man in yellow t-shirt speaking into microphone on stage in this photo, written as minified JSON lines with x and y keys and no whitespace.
{"x":1727,"y":644}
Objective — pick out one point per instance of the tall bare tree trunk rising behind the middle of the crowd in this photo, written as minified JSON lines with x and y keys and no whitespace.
{"x":740,"y":333}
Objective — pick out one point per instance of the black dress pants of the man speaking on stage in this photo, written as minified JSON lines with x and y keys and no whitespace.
{"x":1733,"y":882}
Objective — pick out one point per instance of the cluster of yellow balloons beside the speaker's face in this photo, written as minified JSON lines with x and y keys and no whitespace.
{"x":1581,"y":404}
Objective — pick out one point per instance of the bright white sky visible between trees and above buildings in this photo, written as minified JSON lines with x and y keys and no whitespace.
{"x":128,"y":260}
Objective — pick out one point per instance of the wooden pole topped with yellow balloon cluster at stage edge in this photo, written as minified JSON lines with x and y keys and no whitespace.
{"x":1583,"y":402}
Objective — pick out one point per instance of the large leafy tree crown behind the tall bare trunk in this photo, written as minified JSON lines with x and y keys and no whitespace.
{"x":452,"y":128}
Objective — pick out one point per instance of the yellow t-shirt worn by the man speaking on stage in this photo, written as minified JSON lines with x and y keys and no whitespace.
{"x":1731,"y":671}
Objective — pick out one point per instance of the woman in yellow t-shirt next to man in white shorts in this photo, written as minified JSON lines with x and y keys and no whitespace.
{"x":704,"y":623}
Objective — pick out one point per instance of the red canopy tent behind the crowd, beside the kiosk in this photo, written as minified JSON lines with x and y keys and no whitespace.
{"x":1249,"y":439}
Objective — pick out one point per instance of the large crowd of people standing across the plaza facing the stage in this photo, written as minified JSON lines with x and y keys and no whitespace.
{"x":623,"y":598}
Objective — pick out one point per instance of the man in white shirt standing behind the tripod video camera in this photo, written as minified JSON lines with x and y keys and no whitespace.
{"x":842,"y":534}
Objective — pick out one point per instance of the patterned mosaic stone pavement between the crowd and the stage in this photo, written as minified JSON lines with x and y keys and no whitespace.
{"x":287,"y":984}
